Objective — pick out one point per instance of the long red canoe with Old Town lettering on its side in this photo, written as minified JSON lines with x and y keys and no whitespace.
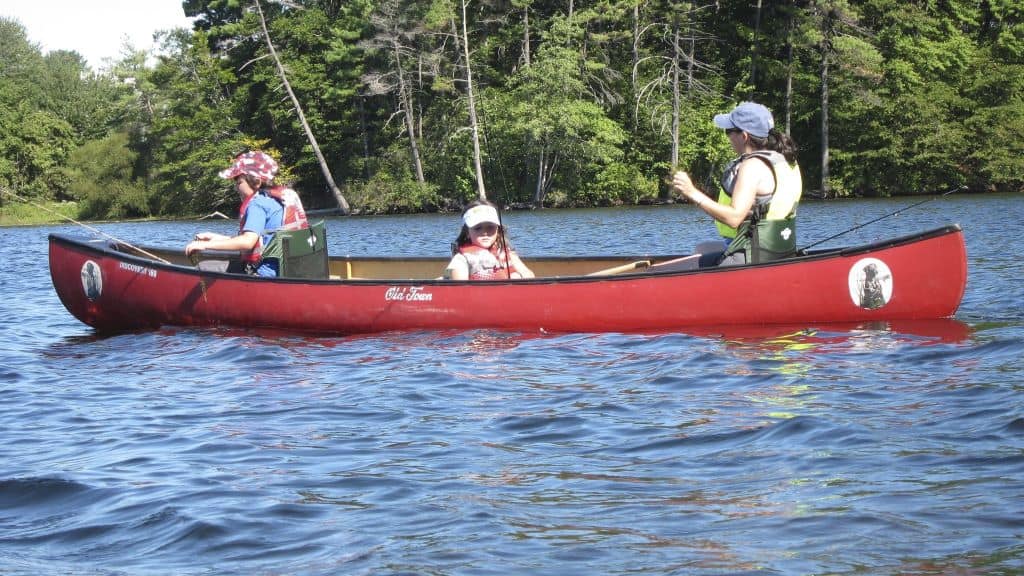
{"x":115,"y":287}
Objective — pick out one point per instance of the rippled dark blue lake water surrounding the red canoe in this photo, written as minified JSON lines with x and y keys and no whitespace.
{"x":879,"y":449}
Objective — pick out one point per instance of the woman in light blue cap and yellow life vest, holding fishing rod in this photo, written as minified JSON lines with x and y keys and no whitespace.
{"x":757,"y":210}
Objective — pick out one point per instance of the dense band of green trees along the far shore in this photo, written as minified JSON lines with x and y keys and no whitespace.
{"x":407,"y":106}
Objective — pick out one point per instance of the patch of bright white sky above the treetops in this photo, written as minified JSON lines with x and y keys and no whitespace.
{"x":96,"y":29}
